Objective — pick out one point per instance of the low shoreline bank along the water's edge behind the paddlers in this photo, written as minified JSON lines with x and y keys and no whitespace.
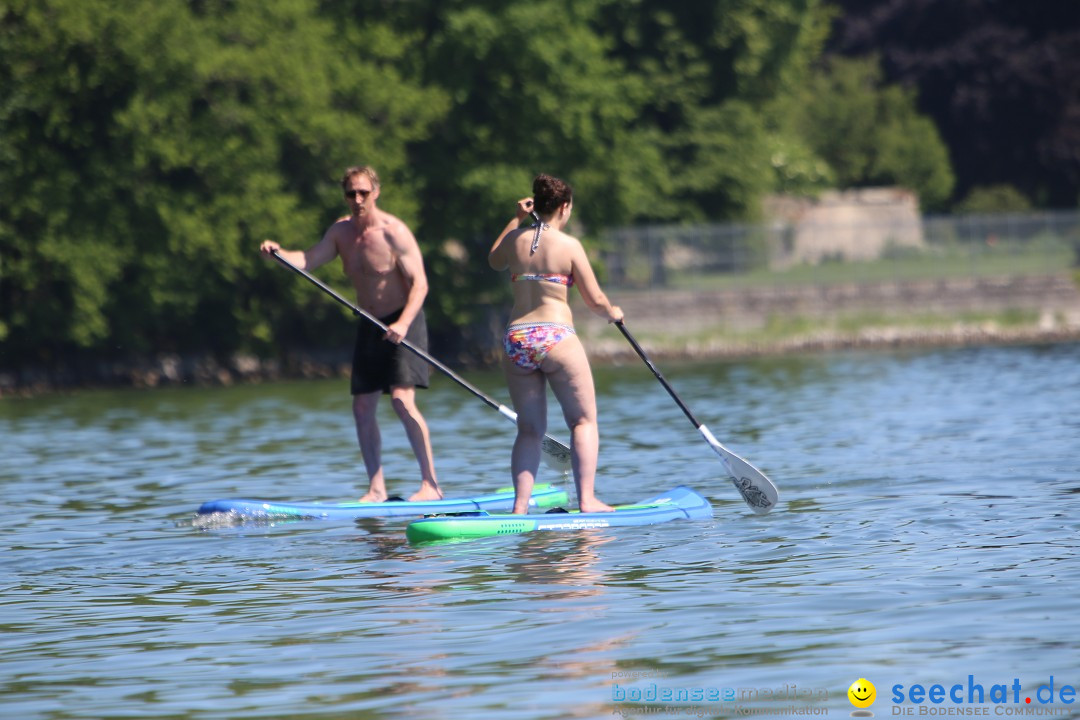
{"x":677,"y":327}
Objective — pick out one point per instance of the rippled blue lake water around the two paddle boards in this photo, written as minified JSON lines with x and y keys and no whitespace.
{"x":927,"y":535}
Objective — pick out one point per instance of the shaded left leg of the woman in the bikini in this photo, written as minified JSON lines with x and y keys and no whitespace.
{"x":528,"y":395}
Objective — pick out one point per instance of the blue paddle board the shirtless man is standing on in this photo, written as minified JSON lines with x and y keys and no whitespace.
{"x":544,"y":496}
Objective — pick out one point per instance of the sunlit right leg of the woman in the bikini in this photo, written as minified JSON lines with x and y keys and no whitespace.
{"x":568,"y":370}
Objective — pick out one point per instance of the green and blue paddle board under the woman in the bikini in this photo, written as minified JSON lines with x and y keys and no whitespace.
{"x":679,"y":504}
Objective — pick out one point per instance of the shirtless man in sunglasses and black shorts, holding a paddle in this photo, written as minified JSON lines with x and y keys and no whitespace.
{"x":383,"y":260}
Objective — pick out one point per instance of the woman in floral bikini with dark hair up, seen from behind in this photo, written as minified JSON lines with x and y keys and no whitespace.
{"x":541,"y":344}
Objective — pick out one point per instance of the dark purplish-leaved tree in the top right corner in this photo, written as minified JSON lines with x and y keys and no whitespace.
{"x":1002,"y":81}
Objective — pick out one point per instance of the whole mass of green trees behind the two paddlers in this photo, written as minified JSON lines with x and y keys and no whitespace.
{"x":147,"y":147}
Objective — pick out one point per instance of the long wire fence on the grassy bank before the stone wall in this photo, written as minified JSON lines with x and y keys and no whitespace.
{"x":779,"y":254}
